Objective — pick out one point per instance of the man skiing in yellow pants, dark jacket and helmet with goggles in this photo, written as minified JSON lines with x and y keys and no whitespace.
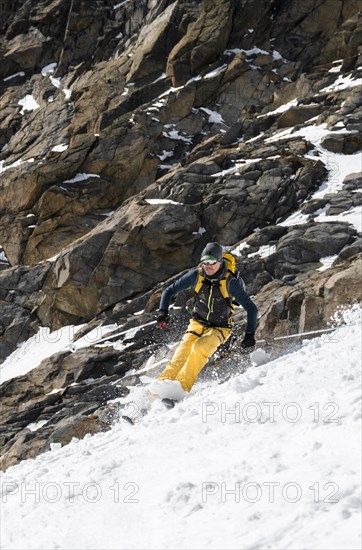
{"x":216,"y":288}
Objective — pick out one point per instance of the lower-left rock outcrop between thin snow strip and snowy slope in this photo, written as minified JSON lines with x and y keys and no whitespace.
{"x":62,"y":401}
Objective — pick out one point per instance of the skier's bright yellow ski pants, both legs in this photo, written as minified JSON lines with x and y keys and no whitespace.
{"x":192,"y":353}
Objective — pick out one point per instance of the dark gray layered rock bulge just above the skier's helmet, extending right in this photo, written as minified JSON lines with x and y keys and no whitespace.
{"x":229,"y":212}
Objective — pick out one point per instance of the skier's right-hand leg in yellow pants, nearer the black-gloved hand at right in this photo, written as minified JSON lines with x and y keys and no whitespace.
{"x":201,"y":350}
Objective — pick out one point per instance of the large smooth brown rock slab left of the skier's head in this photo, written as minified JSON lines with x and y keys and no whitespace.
{"x":132,"y":250}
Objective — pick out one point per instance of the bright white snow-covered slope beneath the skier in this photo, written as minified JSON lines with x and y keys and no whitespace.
{"x":270,"y":459}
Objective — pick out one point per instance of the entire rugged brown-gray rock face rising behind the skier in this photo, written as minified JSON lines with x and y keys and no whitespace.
{"x":132,"y":133}
